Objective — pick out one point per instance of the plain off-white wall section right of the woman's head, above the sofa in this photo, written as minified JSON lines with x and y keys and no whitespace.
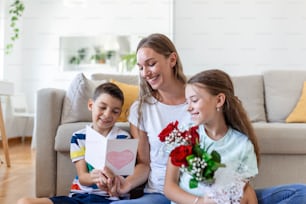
{"x":241,"y":36}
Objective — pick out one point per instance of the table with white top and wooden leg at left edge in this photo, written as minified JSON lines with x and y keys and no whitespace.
{"x":6,"y":89}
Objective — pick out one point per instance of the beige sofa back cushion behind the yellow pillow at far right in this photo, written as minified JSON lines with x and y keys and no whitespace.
{"x":282,"y":91}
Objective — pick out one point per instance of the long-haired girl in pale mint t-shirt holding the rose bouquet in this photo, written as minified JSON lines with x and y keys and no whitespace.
{"x":225,"y":127}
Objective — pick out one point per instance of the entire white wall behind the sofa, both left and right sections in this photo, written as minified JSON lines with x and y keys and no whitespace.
{"x":239,"y":36}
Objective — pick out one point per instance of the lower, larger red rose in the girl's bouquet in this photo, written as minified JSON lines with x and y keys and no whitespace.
{"x":179,"y":154}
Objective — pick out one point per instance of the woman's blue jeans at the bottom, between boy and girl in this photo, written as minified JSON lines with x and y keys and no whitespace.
{"x":155,"y":198}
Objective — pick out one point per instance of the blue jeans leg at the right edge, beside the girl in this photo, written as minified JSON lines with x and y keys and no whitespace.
{"x":282,"y":194}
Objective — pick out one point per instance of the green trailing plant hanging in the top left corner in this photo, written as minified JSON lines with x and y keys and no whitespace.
{"x":16,"y":10}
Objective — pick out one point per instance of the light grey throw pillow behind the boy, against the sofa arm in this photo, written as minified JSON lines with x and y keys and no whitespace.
{"x":76,"y":99}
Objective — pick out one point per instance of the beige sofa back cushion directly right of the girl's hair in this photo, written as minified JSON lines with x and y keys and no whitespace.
{"x":249,"y":89}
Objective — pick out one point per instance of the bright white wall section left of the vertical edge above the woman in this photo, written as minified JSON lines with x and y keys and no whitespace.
{"x":34,"y":62}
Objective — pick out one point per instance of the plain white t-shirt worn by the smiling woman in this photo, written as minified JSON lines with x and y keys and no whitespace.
{"x":155,"y":117}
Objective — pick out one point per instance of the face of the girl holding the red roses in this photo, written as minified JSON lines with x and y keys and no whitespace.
{"x":201,"y":104}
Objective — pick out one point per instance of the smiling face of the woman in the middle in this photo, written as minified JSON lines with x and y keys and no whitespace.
{"x":155,"y":68}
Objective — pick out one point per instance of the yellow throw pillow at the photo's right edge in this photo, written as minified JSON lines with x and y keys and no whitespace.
{"x":298,"y":115}
